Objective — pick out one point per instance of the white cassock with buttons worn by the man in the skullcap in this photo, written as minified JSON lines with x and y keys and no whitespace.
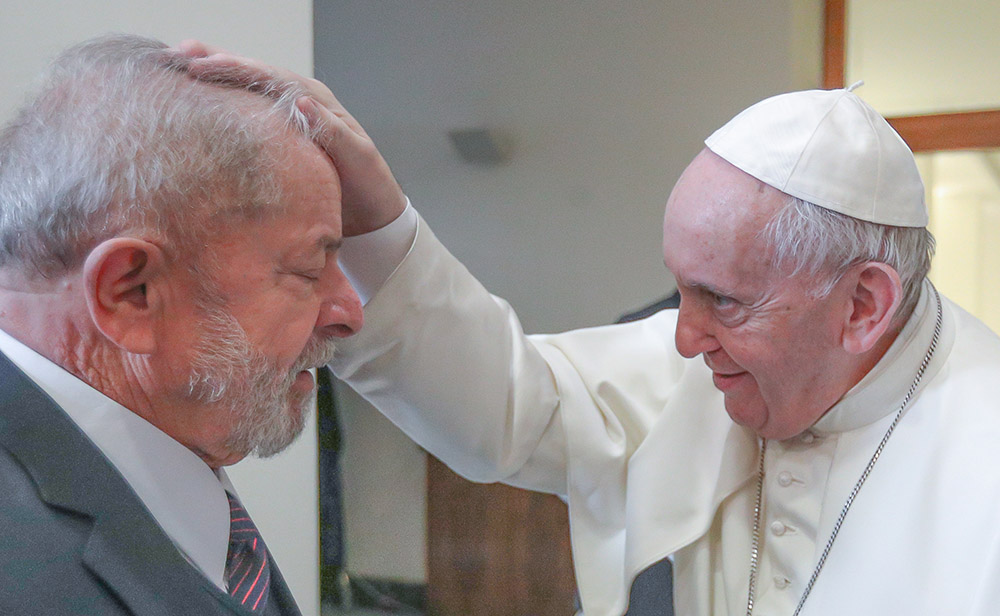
{"x":637,"y":440}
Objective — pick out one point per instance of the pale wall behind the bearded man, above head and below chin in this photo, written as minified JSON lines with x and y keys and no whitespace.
{"x":280,"y":493}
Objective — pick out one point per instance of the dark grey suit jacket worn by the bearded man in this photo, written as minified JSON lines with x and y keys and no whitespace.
{"x":74,"y":537}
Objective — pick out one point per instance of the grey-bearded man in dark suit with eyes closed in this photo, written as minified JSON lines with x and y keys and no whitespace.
{"x":147,"y":217}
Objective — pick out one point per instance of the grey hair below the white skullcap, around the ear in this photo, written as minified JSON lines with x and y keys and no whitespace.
{"x":807,"y":239}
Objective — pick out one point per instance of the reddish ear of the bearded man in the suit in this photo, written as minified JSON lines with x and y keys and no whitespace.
{"x":120,"y":276}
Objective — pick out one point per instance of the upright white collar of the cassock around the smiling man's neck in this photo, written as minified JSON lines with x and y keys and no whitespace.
{"x":882,"y":390}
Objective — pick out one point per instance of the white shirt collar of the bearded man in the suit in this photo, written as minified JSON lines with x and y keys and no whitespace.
{"x":184,"y":495}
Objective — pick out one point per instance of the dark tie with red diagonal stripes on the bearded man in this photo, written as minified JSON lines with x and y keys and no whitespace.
{"x":248,"y":572}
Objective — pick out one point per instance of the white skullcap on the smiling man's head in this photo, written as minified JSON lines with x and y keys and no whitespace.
{"x":829,"y":148}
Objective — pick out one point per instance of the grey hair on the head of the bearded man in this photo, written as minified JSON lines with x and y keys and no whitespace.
{"x":120,"y":139}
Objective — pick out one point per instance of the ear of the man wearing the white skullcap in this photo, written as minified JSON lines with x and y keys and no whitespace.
{"x":876,"y":293}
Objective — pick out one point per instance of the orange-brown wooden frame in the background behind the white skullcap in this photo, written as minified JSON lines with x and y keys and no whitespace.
{"x":923,"y":133}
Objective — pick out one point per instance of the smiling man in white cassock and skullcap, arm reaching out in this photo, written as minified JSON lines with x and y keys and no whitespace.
{"x":815,"y":430}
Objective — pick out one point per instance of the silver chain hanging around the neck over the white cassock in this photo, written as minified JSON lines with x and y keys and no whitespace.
{"x":755,"y":545}
